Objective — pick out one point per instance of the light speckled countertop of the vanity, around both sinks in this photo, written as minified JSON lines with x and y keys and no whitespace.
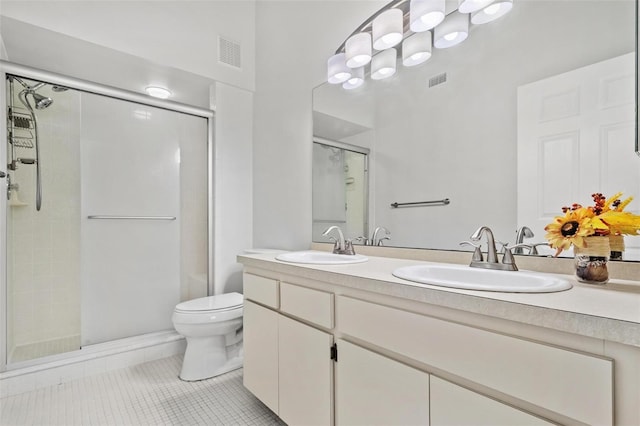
{"x":610,"y":312}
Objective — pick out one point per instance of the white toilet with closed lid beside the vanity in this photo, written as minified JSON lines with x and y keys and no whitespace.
{"x":212,"y":327}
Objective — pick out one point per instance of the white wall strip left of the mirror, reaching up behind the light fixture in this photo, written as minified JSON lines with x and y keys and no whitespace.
{"x":294,"y":39}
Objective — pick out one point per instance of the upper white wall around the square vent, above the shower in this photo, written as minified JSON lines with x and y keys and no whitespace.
{"x":181,"y":34}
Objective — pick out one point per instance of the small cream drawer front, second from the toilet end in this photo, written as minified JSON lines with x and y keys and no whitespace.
{"x":312,"y":305}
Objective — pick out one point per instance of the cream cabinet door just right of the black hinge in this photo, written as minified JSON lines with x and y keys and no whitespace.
{"x":375,"y":390}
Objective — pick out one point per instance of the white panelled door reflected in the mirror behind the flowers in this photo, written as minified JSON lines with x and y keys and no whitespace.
{"x":576,"y":135}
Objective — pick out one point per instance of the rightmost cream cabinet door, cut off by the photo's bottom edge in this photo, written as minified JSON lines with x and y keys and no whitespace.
{"x":452,"y":405}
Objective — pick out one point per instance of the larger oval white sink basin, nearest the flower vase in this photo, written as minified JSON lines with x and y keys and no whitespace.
{"x":465,"y":277}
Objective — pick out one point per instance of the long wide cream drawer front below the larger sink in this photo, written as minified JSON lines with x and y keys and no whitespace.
{"x":572,"y":384}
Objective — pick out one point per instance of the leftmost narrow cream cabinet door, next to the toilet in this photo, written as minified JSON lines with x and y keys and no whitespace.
{"x":260,"y":335}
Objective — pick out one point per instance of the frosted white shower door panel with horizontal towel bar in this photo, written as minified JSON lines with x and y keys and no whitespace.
{"x":130,"y":267}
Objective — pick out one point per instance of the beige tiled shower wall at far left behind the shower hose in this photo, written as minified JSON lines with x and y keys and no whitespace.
{"x":43,"y":246}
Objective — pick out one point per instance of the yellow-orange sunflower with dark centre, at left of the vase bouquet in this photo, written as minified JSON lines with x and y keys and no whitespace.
{"x":571,"y":229}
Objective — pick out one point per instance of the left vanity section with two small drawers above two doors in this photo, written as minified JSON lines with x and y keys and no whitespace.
{"x":287,"y":362}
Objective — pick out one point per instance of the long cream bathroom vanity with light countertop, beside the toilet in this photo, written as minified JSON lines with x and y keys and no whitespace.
{"x":352,"y":344}
